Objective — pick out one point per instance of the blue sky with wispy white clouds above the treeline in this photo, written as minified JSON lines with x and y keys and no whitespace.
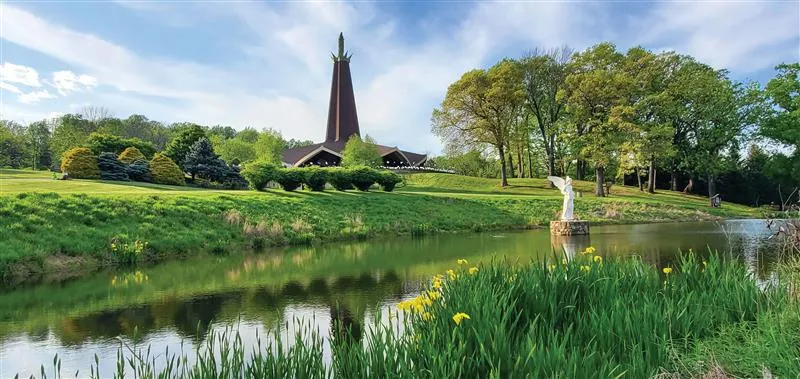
{"x":266,"y":64}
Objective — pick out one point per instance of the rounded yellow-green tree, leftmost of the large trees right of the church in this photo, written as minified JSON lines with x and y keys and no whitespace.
{"x":481,"y":108}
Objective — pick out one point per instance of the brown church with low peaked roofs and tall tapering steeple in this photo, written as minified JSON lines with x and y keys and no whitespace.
{"x":343,"y":123}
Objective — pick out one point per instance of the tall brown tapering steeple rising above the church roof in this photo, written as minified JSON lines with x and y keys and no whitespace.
{"x":342,"y":117}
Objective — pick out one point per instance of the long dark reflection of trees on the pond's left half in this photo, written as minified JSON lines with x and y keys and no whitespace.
{"x":348,"y":298}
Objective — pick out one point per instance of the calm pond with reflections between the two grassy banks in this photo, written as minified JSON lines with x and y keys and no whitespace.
{"x":175,"y":304}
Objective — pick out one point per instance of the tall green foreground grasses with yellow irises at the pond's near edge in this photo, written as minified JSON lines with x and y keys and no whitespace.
{"x":583,"y":319}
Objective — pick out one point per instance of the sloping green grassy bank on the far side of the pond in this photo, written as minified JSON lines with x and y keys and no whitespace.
{"x":62,"y":226}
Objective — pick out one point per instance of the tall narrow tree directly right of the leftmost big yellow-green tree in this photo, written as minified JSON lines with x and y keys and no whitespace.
{"x":544,"y":75}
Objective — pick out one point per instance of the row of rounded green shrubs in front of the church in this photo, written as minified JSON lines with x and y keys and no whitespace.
{"x":259,"y":174}
